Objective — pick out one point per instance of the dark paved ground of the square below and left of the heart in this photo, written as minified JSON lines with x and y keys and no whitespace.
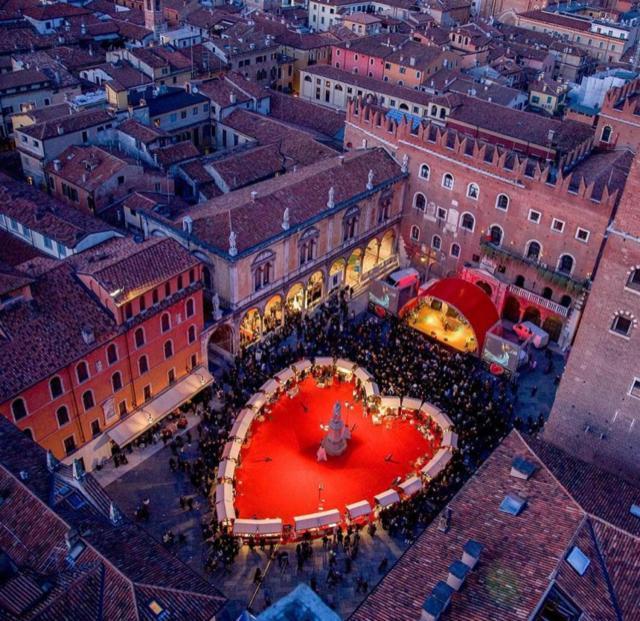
{"x":154,"y":479}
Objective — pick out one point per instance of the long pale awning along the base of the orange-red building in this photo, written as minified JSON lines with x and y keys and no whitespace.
{"x":155,"y":410}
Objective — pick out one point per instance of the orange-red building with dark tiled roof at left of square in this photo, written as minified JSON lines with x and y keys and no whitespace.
{"x":90,"y":340}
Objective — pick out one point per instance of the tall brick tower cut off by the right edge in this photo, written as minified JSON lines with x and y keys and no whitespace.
{"x":598,"y":402}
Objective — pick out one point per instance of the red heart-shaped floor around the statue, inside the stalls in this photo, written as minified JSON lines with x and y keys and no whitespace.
{"x":280,"y":476}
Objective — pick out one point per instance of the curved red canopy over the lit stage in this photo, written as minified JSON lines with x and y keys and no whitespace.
{"x":470,"y":301}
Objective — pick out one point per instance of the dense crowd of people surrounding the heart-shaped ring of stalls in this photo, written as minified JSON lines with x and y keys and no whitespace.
{"x":404,"y":363}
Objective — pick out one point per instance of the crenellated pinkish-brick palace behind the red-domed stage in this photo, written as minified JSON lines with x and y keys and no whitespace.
{"x":533,"y":232}
